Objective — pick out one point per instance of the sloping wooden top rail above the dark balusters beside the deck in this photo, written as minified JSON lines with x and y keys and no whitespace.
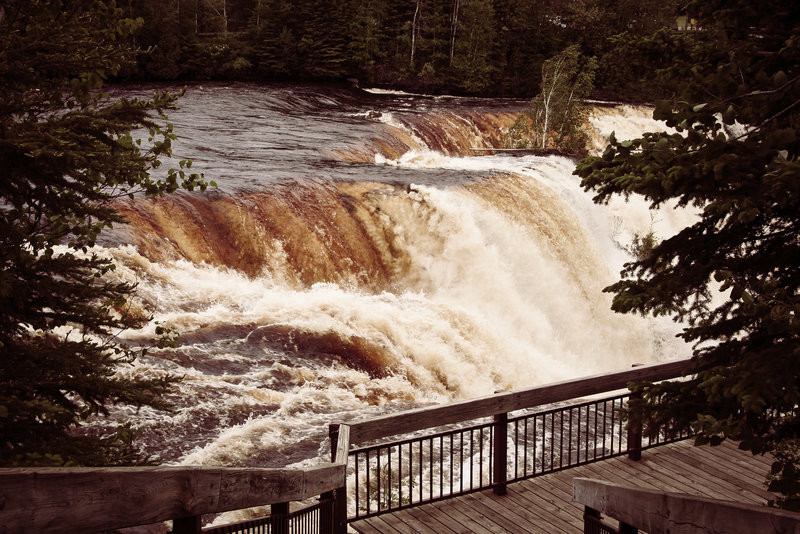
{"x":418,"y":419}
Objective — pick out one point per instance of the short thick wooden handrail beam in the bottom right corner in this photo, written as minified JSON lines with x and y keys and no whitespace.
{"x":657,"y":512}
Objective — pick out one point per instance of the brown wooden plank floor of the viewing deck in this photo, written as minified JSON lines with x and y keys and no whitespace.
{"x":545,"y":505}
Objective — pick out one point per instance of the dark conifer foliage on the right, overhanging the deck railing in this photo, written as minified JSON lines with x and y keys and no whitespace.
{"x":732,"y":277}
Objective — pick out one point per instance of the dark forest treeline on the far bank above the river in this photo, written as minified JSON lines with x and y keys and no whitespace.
{"x":486,"y":47}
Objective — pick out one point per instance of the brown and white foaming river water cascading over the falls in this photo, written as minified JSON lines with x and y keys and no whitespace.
{"x":357,"y":259}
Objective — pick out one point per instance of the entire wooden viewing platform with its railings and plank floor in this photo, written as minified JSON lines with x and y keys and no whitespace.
{"x":554,"y":458}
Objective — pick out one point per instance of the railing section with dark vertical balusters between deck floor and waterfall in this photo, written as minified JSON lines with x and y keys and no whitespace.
{"x":458,"y":459}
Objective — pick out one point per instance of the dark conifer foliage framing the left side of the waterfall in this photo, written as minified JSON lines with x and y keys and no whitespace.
{"x":66,"y":152}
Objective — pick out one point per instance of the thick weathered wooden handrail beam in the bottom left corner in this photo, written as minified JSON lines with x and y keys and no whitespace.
{"x":94,"y":499}
